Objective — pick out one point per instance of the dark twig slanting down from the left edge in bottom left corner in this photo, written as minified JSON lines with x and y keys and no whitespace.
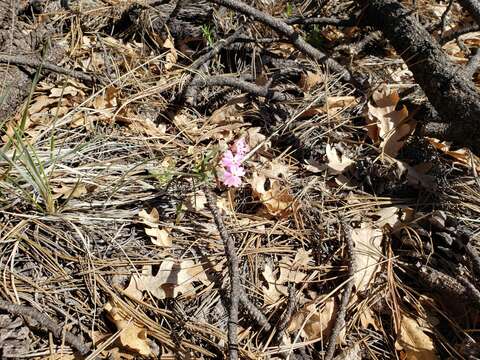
{"x":45,"y":322}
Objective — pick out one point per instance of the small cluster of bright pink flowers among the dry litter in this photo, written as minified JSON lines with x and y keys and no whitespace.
{"x":232,"y":163}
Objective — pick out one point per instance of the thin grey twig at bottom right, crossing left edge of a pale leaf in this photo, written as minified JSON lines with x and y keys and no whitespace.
{"x":340,"y":320}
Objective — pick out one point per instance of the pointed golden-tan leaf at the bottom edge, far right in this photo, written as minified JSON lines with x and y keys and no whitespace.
{"x":412,"y":340}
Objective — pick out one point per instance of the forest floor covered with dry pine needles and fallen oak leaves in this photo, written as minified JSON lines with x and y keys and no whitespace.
{"x":356,"y":236}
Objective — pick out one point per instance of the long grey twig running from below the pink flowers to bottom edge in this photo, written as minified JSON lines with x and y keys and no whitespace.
{"x":233,"y":264}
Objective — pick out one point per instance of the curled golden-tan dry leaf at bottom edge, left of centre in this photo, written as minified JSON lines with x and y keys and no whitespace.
{"x":132,"y":336}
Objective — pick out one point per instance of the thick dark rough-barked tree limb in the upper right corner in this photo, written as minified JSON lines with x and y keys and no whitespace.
{"x":454,"y":96}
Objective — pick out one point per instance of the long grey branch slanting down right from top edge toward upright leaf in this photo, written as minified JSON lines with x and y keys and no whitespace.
{"x":287,"y":31}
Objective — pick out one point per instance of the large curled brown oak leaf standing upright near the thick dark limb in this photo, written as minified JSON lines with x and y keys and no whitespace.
{"x":385,"y":123}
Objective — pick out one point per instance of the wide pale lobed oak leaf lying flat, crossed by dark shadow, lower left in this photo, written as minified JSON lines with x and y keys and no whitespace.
{"x":172,"y":279}
